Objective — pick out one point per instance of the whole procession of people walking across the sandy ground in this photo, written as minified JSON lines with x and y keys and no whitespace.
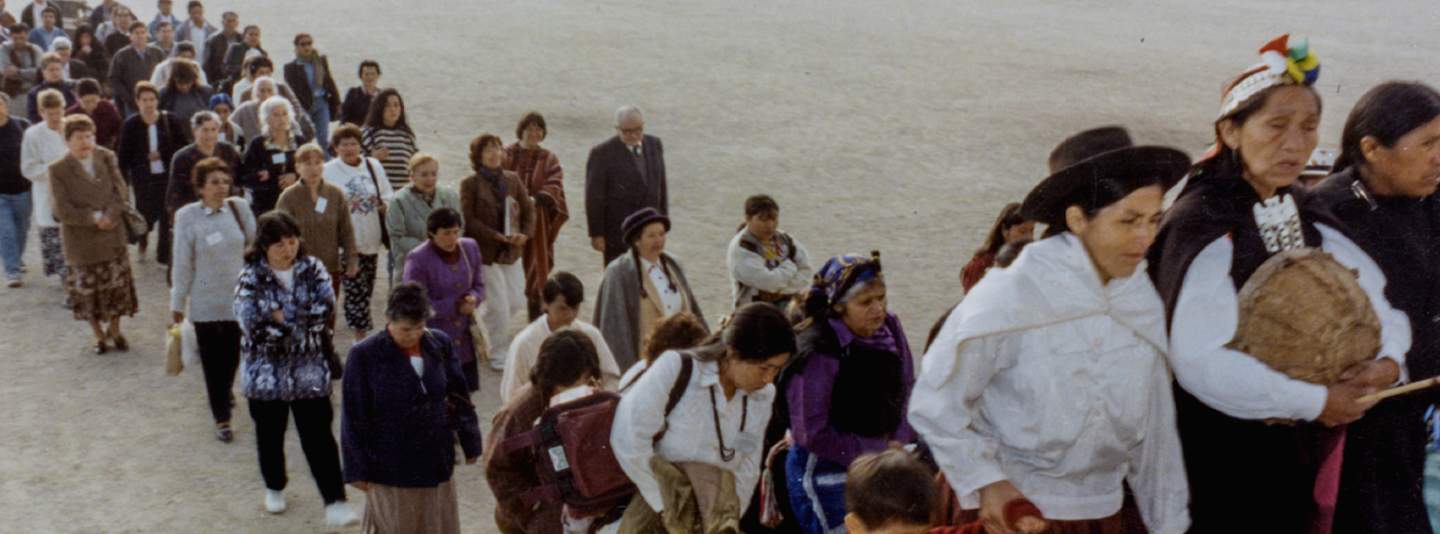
{"x":1086,"y":384}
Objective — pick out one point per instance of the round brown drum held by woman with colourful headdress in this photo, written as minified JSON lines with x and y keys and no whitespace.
{"x":1305,"y":314}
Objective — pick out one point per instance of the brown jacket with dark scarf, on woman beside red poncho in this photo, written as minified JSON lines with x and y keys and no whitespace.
{"x":483,"y":211}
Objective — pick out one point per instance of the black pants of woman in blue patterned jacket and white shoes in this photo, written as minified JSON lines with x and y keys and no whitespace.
{"x":313,"y":420}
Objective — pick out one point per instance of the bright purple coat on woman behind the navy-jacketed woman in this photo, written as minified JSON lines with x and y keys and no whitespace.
{"x":449,"y":284}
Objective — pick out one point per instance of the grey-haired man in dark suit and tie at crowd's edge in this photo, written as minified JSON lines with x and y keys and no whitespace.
{"x":623,"y":176}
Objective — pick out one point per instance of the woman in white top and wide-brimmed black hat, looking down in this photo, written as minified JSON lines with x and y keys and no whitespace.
{"x":1048,"y":388}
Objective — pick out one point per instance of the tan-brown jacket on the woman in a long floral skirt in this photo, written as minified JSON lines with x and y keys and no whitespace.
{"x":78,"y":196}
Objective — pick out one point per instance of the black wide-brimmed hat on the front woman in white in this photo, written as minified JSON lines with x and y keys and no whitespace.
{"x":1094,"y":156}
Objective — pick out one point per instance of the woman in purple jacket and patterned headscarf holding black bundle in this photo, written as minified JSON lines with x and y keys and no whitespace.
{"x":849,"y":391}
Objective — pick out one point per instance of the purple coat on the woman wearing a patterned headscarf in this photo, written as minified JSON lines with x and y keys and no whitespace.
{"x":813,"y":392}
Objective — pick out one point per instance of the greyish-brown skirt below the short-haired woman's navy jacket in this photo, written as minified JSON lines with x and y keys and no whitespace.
{"x":411,"y":510}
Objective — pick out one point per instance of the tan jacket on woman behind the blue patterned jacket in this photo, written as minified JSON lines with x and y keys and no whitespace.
{"x":325,"y":234}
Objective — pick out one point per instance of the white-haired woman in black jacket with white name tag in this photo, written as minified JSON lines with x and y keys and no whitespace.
{"x":270,"y":159}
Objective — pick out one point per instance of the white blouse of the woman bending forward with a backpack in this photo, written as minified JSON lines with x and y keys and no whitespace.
{"x":692,"y":434}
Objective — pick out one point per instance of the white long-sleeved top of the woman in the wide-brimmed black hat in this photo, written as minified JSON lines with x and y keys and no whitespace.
{"x":1046,"y":379}
